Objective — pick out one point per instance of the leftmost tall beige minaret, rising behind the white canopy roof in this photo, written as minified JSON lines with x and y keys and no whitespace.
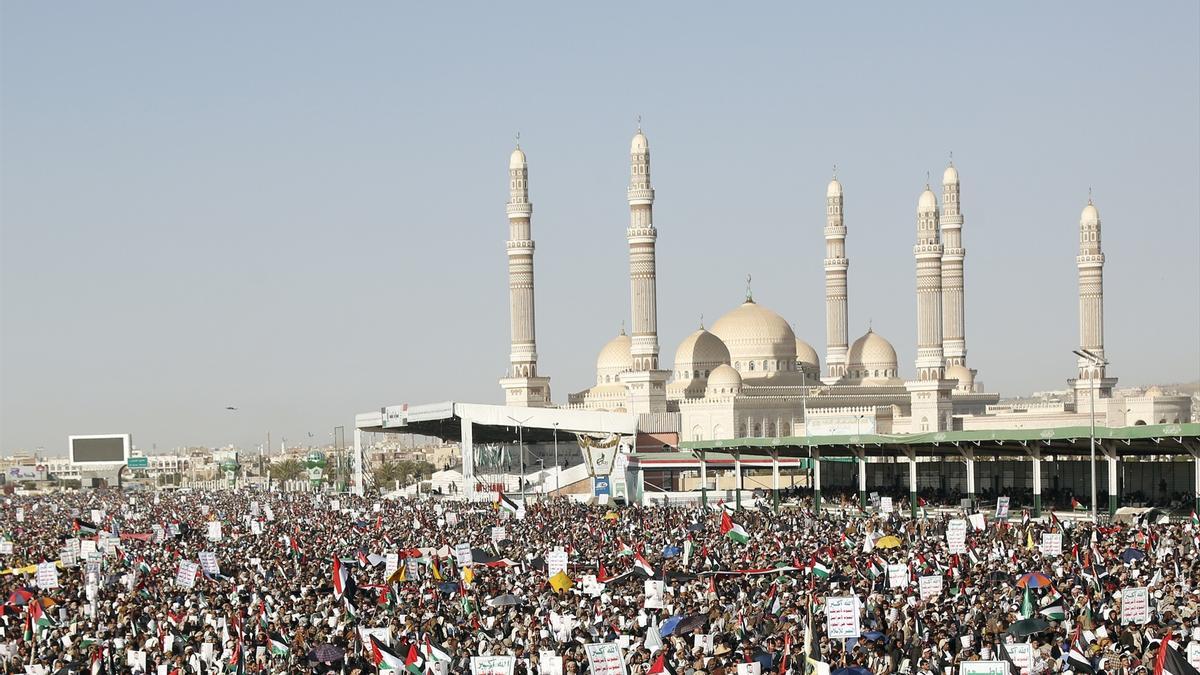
{"x":523,"y":386}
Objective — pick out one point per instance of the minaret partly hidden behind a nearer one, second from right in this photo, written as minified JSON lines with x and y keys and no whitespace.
{"x":955,"y":344}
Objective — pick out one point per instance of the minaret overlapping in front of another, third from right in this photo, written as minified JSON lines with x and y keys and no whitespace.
{"x":931,"y":393}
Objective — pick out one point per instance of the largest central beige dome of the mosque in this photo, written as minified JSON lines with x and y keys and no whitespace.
{"x":759,"y":341}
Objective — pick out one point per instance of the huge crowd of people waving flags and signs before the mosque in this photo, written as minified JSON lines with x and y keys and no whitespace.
{"x":311,"y":583}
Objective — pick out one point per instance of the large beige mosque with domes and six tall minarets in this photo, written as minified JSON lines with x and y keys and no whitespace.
{"x":751,"y":377}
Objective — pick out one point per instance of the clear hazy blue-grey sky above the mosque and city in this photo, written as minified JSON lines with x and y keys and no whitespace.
{"x":298,"y":208}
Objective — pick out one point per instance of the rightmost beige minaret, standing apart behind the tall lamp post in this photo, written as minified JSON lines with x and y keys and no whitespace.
{"x":1090,"y":264}
